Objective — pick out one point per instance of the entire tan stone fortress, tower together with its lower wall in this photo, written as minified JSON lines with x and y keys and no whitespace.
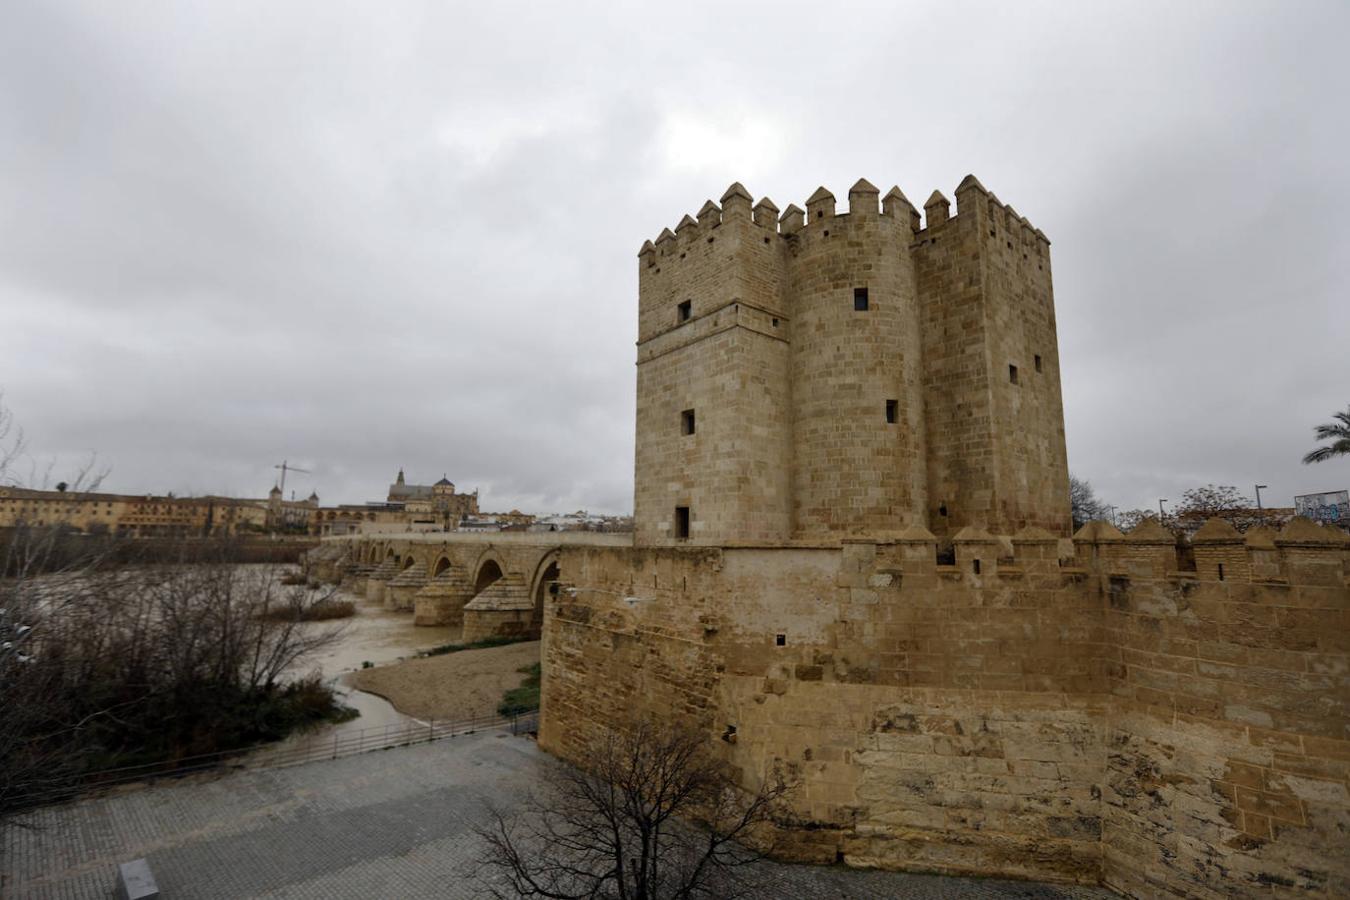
{"x":832,"y":410}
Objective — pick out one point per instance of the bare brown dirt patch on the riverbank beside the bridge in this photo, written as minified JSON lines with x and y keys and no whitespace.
{"x":453,"y":686}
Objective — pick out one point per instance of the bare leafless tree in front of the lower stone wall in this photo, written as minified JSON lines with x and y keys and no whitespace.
{"x":655,"y":816}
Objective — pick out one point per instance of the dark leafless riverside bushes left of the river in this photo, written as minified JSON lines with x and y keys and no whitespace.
{"x":109,"y":666}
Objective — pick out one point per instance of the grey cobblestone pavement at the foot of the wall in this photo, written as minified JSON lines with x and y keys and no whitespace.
{"x":388,"y":825}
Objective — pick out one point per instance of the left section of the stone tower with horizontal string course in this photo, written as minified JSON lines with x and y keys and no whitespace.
{"x":727,"y":361}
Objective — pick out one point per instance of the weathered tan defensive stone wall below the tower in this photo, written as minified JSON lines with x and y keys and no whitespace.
{"x":1089,"y":712}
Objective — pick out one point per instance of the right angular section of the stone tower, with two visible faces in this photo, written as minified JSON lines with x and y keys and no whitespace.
{"x":997,"y":454}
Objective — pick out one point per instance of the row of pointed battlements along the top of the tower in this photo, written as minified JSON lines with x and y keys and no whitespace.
{"x":821,"y":210}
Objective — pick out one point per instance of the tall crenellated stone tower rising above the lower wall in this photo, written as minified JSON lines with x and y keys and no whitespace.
{"x":821,"y":374}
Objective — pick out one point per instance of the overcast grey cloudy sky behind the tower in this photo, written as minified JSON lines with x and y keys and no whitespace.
{"x":361,"y":237}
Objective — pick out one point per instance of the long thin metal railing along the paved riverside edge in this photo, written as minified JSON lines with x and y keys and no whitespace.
{"x":342,"y":743}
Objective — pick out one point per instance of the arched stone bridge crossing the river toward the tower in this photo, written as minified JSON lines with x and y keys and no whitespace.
{"x":489,"y":584}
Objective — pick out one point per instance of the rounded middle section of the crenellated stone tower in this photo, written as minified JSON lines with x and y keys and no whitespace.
{"x":854,"y":472}
